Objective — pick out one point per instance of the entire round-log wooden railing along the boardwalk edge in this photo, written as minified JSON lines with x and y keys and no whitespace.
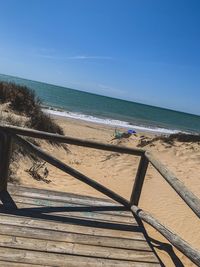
{"x":9,"y":134}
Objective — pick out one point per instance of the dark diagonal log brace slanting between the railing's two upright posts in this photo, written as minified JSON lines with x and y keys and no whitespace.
{"x":67,"y":169}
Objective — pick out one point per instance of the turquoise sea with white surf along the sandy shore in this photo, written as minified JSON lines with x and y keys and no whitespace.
{"x":71,"y":103}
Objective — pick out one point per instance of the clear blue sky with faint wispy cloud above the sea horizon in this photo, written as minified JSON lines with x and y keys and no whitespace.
{"x":146,"y":51}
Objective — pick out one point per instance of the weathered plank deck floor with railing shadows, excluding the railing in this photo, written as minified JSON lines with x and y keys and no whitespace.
{"x":59,"y":229}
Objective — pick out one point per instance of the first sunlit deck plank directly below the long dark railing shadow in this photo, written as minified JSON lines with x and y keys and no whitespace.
{"x":135,"y":233}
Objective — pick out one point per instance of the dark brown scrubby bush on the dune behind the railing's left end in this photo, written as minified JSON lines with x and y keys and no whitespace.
{"x":23,"y":101}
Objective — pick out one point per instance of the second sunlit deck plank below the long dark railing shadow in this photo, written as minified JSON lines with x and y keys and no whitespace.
{"x":53,"y":235}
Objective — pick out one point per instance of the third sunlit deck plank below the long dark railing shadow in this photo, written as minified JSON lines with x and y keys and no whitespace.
{"x":76,"y":249}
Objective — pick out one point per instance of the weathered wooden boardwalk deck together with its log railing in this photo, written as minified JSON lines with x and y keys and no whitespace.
{"x":47,"y":228}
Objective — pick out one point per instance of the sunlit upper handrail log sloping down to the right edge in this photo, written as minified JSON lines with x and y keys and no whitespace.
{"x":190,"y":199}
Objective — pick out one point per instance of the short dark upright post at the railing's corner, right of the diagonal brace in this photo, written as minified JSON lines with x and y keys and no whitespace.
{"x":139,"y":180}
